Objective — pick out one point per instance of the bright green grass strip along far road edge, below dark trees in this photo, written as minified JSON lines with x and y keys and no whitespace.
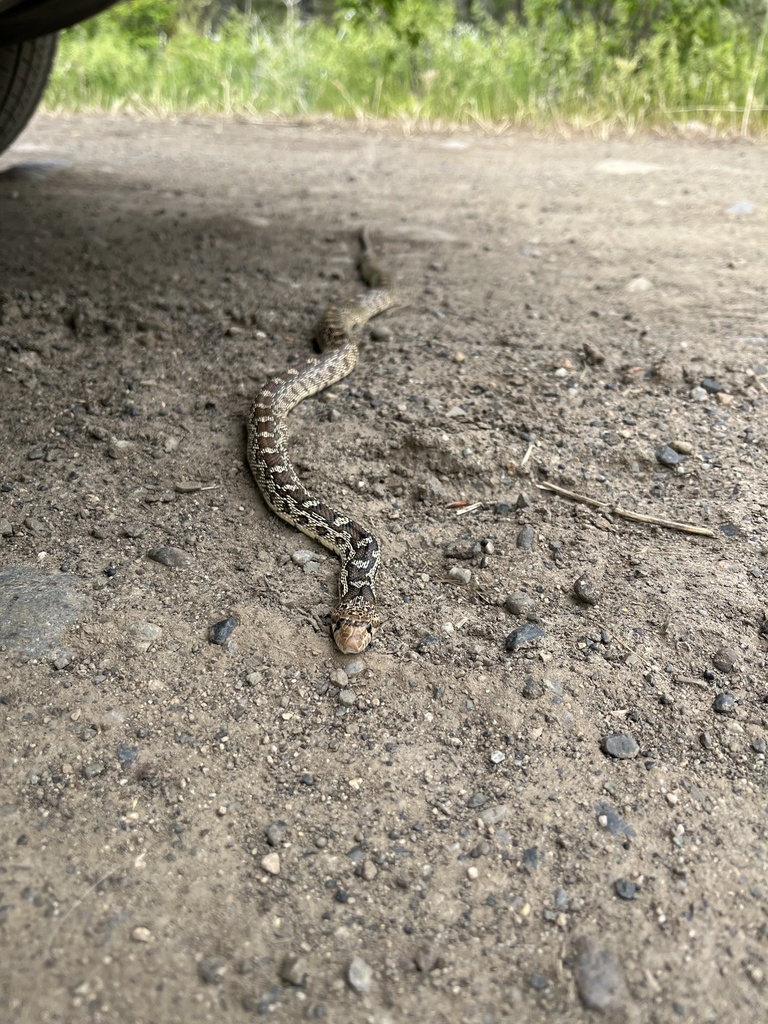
{"x":496,"y":76}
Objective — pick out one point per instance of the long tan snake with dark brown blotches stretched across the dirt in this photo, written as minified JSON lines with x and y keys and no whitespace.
{"x":355,"y":618}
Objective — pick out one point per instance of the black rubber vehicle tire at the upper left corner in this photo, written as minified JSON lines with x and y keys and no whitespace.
{"x":24,"y":74}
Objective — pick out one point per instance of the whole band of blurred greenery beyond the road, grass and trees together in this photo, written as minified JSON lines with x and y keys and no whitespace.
{"x":542,"y":63}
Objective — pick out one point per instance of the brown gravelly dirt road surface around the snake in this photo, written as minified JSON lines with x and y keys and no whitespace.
{"x":194,"y":832}
